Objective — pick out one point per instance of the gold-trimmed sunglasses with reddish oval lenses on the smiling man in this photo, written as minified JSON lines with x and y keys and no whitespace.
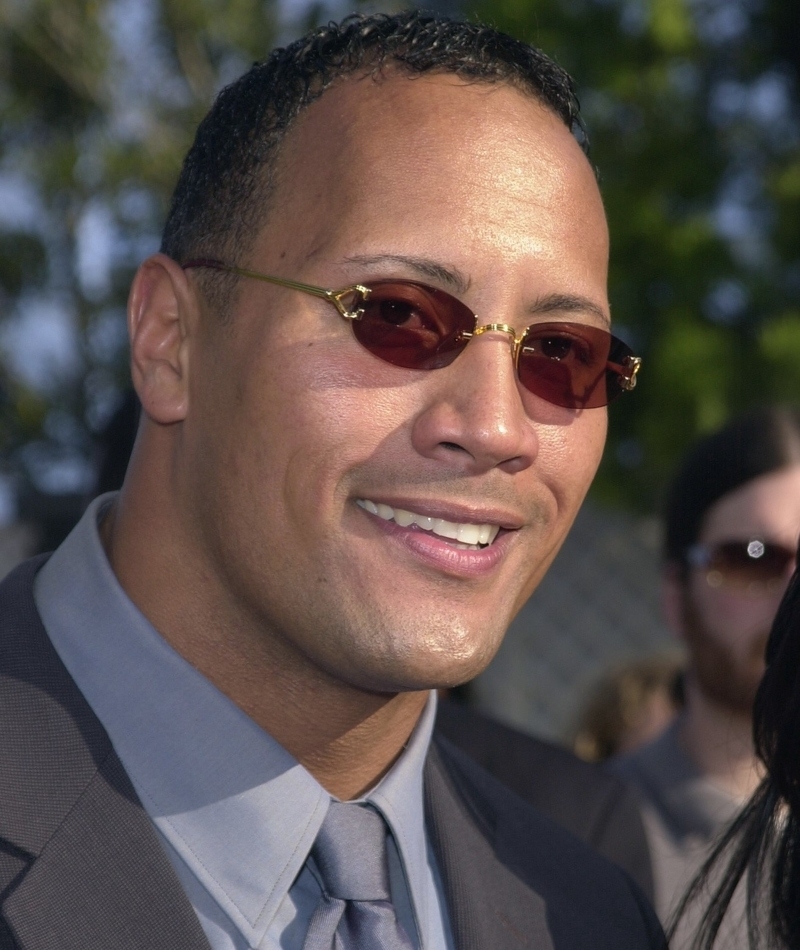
{"x":410,"y":324}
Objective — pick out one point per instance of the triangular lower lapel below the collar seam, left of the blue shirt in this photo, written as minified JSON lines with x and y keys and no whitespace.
{"x":104,"y":880}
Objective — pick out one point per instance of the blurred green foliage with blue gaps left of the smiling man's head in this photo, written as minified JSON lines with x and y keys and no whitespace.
{"x":99,"y":100}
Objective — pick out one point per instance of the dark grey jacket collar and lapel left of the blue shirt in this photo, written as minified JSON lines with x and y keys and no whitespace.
{"x":94,"y":875}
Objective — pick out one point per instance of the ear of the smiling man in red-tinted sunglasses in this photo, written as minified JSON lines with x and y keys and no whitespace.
{"x":162,"y":312}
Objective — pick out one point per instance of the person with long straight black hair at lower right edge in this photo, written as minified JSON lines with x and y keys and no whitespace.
{"x":760,"y":852}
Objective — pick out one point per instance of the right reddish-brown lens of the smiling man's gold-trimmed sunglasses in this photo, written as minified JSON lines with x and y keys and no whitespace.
{"x":572,"y":364}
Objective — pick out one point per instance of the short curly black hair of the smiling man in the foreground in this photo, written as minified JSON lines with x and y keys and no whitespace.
{"x":222,"y":195}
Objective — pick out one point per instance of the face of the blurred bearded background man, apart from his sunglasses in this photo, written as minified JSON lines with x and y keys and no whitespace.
{"x":726,"y":630}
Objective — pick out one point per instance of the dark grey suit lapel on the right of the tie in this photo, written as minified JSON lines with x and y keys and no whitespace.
{"x":490,"y":907}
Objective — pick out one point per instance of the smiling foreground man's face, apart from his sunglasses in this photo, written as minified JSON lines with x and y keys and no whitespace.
{"x":295,"y":433}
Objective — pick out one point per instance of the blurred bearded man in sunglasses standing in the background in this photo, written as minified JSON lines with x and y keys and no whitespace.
{"x":732,"y":524}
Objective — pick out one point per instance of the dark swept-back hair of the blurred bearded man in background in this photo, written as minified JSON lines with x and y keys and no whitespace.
{"x":757,"y":443}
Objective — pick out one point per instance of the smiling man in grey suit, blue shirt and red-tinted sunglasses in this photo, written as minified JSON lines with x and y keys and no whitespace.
{"x":343,"y":487}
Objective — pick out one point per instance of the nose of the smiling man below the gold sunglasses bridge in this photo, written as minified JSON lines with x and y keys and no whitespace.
{"x":474,"y":412}
